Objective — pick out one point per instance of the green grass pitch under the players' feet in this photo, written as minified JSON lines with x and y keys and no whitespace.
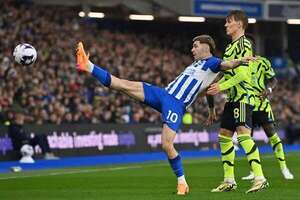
{"x":147,"y":181}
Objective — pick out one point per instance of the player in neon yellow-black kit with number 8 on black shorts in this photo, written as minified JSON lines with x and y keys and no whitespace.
{"x":237,"y":114}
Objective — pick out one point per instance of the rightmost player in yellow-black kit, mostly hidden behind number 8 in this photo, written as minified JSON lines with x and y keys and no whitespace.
{"x":264,"y":82}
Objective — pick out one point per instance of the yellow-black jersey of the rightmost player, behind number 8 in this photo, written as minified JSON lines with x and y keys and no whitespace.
{"x":261,"y":71}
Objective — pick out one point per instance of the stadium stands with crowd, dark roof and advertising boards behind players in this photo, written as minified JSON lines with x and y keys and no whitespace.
{"x":83,"y":118}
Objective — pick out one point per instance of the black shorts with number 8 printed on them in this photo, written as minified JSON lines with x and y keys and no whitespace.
{"x":236,"y":114}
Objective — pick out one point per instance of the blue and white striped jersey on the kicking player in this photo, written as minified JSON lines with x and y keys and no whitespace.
{"x":194,"y":79}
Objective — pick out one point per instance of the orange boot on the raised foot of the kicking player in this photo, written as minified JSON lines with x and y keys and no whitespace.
{"x":82,"y":59}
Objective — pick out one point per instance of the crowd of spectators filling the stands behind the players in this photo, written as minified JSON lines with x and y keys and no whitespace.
{"x":52,"y":91}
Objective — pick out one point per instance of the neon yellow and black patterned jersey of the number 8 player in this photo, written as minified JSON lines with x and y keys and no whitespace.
{"x":243,"y":91}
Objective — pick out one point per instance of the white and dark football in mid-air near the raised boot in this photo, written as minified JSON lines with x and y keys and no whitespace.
{"x":25,"y":54}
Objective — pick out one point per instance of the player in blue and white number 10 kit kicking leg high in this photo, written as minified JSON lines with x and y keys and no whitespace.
{"x":173,"y":100}
